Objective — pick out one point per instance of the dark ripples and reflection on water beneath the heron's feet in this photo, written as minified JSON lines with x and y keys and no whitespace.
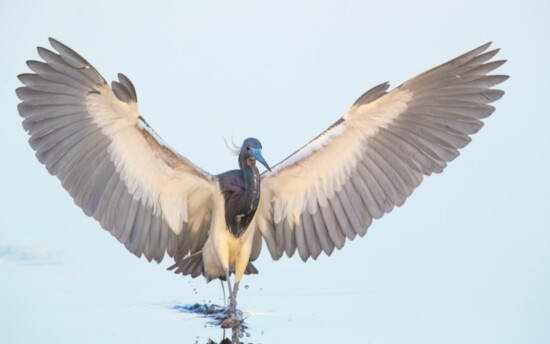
{"x":233,"y":331}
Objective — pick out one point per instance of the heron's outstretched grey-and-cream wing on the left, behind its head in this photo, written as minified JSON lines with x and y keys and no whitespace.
{"x":115,"y":167}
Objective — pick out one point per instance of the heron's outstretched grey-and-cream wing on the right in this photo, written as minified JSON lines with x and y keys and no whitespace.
{"x":375,"y":156}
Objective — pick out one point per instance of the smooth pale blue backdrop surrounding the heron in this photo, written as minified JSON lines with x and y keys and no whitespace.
{"x":465,"y":260}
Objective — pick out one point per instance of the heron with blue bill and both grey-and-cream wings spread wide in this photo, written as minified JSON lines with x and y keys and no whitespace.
{"x":156,"y":202}
